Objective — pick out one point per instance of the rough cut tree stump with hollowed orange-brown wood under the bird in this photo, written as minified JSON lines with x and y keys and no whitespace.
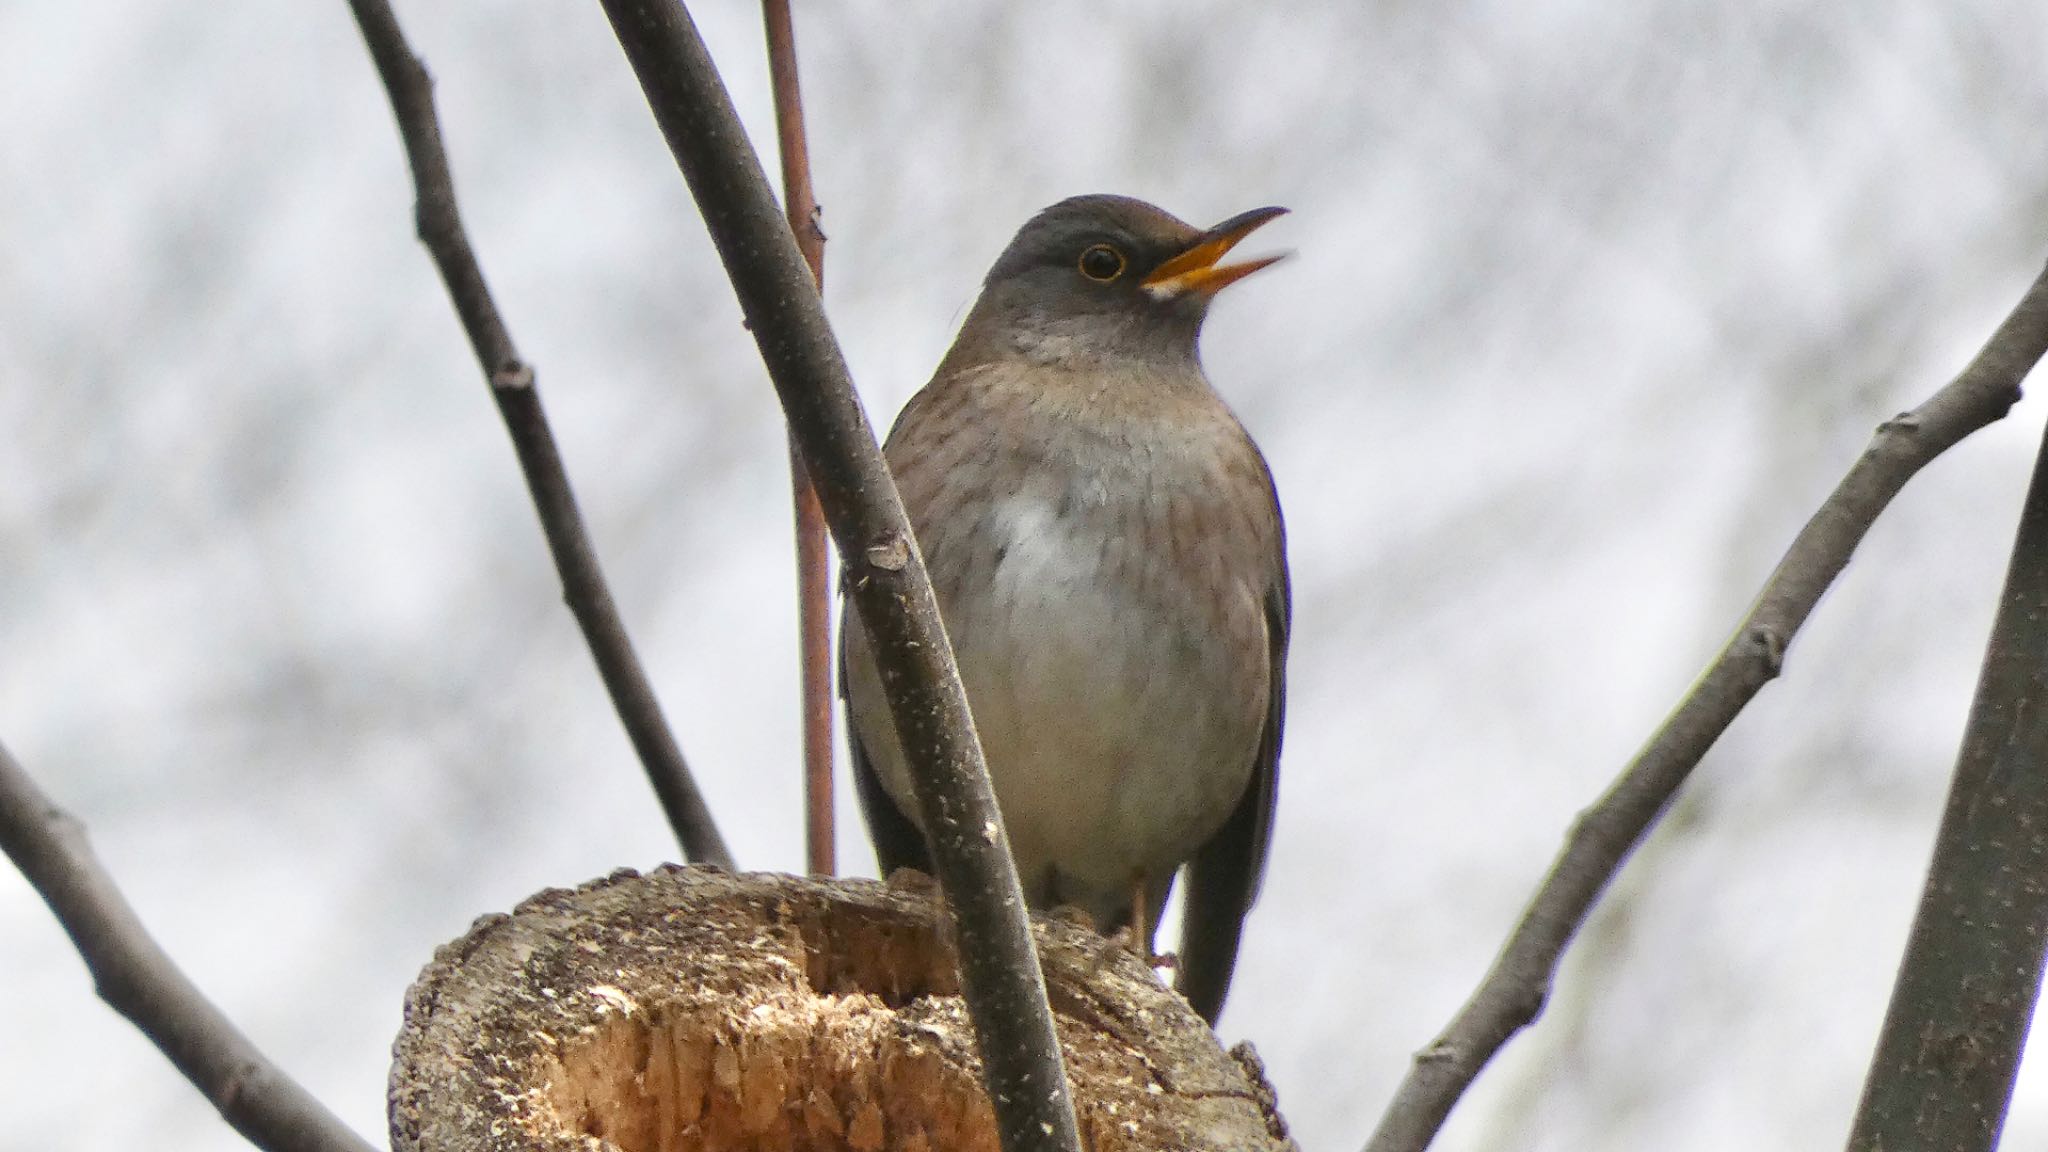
{"x":695,"y":1010}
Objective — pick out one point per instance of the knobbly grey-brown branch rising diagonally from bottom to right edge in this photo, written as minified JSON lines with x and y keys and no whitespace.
{"x":1519,"y":985}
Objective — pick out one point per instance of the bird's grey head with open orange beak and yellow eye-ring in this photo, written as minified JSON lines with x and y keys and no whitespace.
{"x":1107,"y":278}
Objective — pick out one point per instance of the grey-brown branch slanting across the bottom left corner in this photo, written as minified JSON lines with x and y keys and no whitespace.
{"x":140,"y":983}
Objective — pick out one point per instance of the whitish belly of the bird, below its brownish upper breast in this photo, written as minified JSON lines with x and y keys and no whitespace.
{"x":1117,"y":700}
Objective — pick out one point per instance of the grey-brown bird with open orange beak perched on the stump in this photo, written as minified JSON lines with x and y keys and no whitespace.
{"x":1109,"y":559}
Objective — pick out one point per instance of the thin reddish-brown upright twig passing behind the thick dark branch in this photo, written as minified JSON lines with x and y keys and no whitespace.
{"x":814,"y":561}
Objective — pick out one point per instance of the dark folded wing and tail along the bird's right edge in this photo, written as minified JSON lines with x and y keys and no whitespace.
{"x":1224,"y":878}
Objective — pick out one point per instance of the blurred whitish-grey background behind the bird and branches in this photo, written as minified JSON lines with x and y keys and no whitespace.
{"x":1592,"y":306}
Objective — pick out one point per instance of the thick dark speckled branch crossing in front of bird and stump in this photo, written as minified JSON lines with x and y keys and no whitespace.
{"x":886,"y":577}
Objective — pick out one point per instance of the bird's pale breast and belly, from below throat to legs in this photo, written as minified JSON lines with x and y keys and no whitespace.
{"x":1105,"y":602}
